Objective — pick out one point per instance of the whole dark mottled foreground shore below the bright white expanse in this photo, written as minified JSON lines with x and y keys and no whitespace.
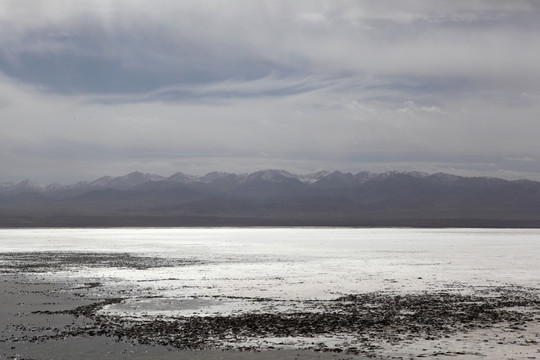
{"x":45,"y":319}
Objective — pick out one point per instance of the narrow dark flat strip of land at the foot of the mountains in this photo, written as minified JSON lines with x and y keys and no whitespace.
{"x":36,"y":219}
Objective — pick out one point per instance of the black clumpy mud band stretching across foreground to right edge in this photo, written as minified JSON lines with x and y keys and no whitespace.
{"x":364,"y":319}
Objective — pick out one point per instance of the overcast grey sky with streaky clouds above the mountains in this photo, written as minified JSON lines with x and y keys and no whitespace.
{"x":98,"y":87}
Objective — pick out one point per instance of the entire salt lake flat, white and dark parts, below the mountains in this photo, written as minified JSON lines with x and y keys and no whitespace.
{"x":377,"y":292}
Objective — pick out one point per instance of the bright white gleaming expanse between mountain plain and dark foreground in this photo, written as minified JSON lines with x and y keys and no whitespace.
{"x":300,"y":263}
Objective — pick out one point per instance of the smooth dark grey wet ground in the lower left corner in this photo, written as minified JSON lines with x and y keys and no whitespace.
{"x":41,"y":320}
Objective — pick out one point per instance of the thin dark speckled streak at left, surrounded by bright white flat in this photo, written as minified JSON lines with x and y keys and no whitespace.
{"x":35,"y":262}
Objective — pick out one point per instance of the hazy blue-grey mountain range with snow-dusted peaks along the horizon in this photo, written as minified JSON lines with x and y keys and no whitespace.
{"x":275,"y":198}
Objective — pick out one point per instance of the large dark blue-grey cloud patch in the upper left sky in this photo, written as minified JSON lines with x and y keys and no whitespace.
{"x":91,"y":61}
